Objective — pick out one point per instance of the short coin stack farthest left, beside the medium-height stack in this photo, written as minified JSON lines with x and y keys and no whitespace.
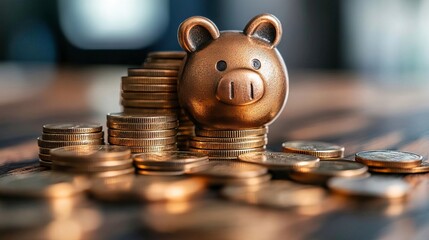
{"x":67,"y":134}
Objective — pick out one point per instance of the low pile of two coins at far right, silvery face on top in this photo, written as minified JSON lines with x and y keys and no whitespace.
{"x":389,"y":161}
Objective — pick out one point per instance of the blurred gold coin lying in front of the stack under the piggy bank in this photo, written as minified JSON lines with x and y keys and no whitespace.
{"x":231,"y":169}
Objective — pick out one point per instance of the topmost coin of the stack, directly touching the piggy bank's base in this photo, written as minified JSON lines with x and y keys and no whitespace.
{"x":231,"y":133}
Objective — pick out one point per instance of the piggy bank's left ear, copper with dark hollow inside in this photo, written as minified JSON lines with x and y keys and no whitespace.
{"x":196,"y":32}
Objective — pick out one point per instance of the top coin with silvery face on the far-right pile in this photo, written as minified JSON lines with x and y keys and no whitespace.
{"x":389,"y":158}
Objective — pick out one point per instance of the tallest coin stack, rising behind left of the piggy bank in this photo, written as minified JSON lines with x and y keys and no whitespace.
{"x":153,"y":89}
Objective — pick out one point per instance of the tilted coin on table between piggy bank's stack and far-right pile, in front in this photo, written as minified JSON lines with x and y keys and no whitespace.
{"x":328,"y":169}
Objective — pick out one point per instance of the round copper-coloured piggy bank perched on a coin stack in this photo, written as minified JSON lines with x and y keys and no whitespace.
{"x":232,"y":79}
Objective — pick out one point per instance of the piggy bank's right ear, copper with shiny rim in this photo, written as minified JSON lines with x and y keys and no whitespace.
{"x":265,"y":27}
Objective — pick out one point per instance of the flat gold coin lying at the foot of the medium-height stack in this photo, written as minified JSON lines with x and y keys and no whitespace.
{"x":169,"y":158}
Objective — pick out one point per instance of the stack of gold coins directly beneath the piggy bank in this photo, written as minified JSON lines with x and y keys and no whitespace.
{"x":228,"y":144}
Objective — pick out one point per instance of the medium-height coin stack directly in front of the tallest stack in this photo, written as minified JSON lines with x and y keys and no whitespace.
{"x":143,"y":132}
